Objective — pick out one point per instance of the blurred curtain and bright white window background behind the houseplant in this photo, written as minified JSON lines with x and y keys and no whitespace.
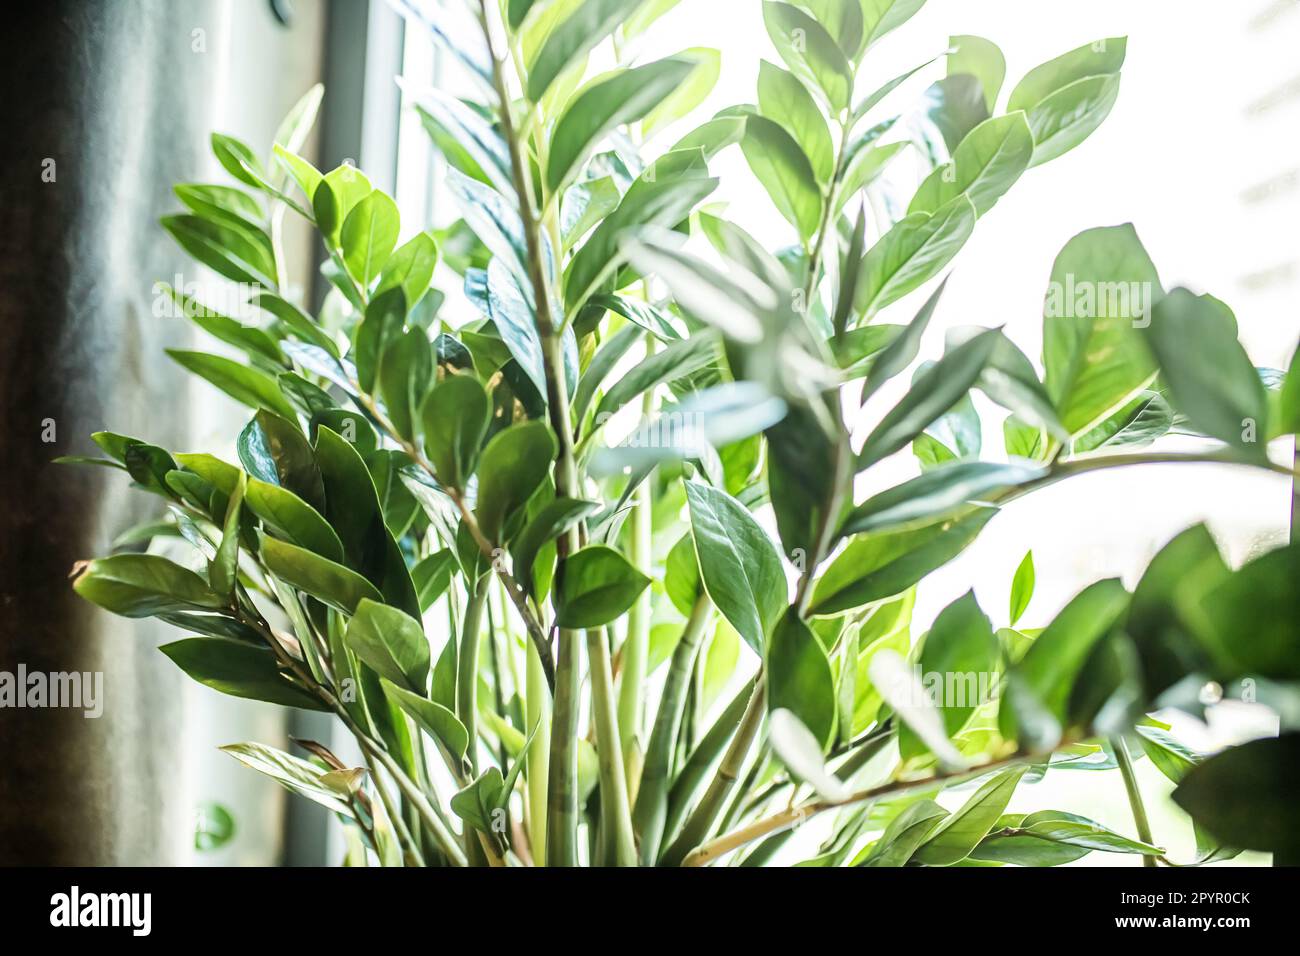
{"x":110,"y":103}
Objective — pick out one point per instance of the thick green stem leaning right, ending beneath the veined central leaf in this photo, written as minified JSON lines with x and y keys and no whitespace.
{"x":652,"y":810}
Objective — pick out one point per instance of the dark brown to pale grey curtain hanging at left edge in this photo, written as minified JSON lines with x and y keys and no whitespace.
{"x":107,"y":105}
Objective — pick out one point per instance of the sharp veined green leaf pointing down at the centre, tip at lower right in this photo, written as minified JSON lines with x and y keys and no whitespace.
{"x":739,"y":565}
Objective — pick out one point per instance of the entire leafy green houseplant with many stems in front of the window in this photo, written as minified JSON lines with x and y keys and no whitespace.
{"x":560,"y":648}
